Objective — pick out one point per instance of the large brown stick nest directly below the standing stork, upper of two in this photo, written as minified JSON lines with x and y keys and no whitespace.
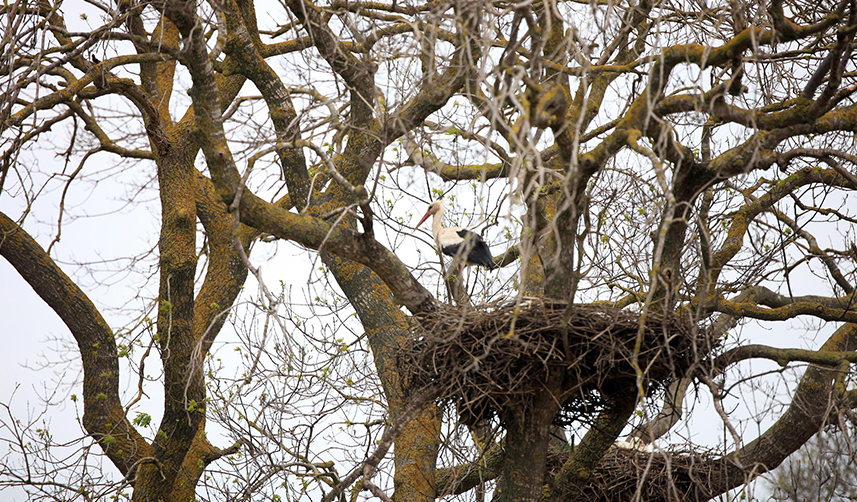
{"x":488,"y":358}
